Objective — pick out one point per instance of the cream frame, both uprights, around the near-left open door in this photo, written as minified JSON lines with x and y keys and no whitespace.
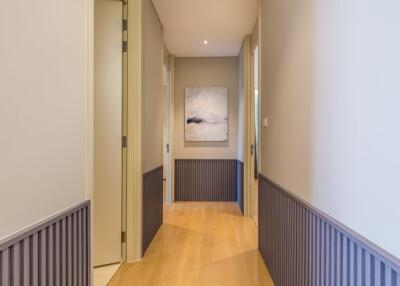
{"x":132,"y":250}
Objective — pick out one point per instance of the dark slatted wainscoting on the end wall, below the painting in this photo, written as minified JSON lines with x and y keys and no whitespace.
{"x":206,"y":180}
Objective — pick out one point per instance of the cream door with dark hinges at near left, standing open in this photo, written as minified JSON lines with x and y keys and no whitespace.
{"x":107,"y":131}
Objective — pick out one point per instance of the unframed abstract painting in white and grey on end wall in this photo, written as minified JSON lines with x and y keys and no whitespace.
{"x":206,"y":113}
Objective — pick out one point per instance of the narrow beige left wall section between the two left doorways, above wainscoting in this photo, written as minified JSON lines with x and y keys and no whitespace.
{"x":152,"y":100}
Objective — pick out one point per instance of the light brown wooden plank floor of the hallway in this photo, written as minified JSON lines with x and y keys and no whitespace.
{"x":200,"y":244}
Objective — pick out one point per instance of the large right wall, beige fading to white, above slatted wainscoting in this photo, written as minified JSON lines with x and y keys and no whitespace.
{"x":331,"y":91}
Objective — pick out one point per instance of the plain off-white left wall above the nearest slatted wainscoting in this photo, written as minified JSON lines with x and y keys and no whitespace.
{"x":42,"y":96}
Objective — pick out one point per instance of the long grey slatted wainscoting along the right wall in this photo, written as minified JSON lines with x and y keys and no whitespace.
{"x":302,"y":246}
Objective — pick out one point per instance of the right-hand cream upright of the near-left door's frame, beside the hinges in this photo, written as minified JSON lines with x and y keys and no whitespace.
{"x":134,"y":192}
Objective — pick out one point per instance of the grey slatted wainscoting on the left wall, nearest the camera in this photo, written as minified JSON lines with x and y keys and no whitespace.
{"x":55,"y":252}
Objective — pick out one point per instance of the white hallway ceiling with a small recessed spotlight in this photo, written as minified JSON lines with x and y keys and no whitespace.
{"x":223,"y":23}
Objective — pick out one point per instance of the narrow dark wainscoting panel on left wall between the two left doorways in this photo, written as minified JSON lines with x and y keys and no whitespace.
{"x":152,"y":207}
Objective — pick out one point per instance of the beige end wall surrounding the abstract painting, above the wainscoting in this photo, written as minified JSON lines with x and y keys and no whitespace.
{"x":206,"y":72}
